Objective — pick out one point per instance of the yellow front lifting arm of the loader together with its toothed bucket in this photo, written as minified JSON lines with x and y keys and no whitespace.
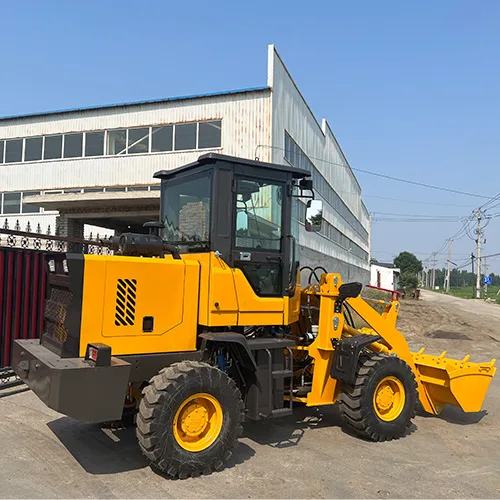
{"x":440,"y":380}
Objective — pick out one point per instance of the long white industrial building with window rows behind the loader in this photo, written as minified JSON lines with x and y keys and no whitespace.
{"x":89,"y":168}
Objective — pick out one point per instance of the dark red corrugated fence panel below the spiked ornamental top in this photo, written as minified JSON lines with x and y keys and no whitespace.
{"x":22,"y":297}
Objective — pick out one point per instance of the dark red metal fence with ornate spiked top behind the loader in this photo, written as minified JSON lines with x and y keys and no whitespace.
{"x":23,"y":283}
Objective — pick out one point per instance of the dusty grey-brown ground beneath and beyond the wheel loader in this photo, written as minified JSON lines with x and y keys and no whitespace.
{"x":46,"y":455}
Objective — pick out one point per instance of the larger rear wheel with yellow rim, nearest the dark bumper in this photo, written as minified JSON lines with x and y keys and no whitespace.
{"x":190,"y":419}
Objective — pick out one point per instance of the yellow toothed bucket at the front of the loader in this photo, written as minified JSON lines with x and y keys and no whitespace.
{"x":454,"y":382}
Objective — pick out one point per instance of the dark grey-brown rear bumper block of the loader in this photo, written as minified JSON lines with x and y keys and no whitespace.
{"x":72,"y":386}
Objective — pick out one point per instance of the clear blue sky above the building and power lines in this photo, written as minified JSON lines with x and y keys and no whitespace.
{"x":410,"y":89}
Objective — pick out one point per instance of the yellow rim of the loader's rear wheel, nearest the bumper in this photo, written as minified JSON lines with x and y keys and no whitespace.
{"x":198,"y":422}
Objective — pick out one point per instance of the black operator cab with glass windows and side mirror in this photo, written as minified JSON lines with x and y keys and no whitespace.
{"x":242,"y":211}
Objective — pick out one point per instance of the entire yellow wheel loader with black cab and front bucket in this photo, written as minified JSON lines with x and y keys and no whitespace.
{"x":208,"y":320}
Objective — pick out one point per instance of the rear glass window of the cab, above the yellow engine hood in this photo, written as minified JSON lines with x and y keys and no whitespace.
{"x":186,"y":213}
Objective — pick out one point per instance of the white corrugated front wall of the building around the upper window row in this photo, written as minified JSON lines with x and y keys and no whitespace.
{"x":245,"y":124}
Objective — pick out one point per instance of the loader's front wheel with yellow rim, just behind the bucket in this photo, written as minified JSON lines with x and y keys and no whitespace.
{"x":382,"y":402}
